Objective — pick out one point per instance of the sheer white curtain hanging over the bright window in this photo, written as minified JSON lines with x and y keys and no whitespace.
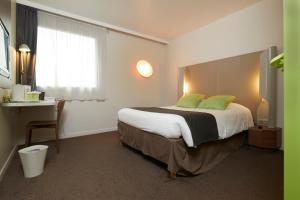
{"x":70,"y":58}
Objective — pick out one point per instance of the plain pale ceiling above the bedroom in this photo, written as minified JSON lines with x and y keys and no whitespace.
{"x":165,"y":19}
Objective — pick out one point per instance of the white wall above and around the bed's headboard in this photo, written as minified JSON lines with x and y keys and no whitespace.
{"x":249,"y":30}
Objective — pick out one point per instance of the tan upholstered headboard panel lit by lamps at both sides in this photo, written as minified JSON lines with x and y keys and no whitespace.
{"x":238,"y":76}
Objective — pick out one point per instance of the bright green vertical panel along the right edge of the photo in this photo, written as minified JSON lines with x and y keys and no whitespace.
{"x":292,"y":99}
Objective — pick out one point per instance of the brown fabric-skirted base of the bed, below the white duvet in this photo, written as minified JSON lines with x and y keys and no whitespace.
{"x":180,"y":159}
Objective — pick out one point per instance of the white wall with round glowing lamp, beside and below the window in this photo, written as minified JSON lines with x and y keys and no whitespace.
{"x":124,"y":87}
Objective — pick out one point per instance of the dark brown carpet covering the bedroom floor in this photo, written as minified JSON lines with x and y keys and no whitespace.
{"x":98,"y":167}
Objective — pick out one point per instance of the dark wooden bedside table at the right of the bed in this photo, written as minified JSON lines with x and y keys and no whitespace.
{"x":265,"y":137}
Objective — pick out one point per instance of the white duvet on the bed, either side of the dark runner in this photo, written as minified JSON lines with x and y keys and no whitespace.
{"x":235,"y":119}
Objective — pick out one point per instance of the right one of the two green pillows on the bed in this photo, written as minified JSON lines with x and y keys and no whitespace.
{"x":219,"y":102}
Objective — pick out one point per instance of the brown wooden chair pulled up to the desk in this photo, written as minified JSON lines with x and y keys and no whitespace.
{"x":46,"y":124}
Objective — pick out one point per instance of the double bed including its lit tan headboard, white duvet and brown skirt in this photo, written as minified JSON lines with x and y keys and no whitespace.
{"x":167,"y":138}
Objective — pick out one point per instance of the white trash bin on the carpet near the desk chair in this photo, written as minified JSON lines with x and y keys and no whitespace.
{"x":33,"y":160}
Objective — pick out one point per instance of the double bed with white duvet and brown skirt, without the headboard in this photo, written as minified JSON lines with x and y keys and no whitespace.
{"x":167,"y":137}
